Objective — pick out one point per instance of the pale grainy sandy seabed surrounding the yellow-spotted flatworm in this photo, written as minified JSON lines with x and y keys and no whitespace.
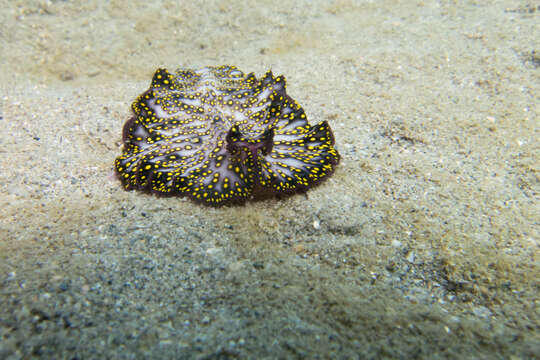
{"x":424,"y":243}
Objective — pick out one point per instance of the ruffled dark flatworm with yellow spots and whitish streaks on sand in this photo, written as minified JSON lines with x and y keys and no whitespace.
{"x":220,"y":136}
